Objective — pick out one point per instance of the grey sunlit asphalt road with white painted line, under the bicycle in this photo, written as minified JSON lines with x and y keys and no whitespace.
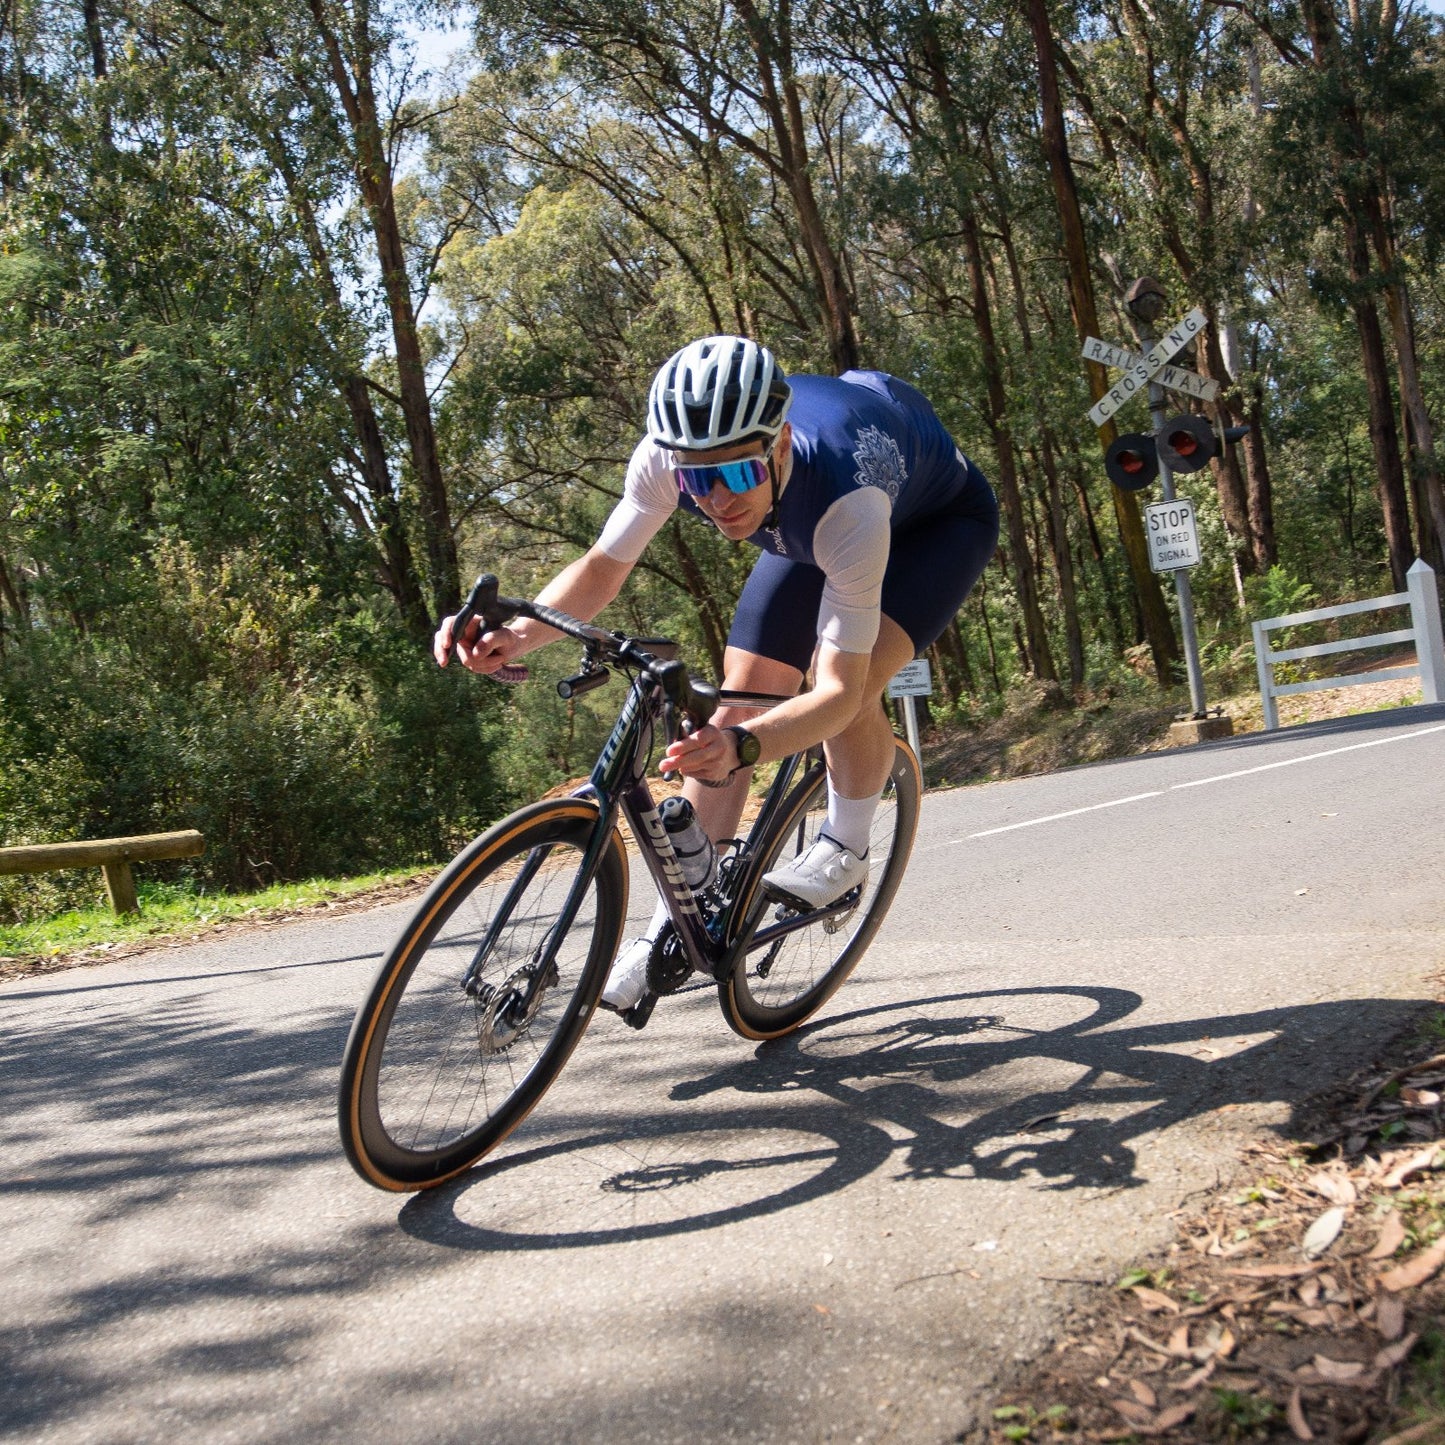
{"x":1093,"y":986}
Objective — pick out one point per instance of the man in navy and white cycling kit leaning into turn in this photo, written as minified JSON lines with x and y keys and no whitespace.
{"x":874,"y":527}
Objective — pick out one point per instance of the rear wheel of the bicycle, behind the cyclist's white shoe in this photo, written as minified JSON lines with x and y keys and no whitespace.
{"x":781,"y":980}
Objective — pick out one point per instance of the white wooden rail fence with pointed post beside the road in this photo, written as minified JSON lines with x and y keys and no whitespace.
{"x":1421,"y":598}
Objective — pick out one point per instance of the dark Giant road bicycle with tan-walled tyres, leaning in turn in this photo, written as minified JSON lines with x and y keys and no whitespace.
{"x":488,"y":992}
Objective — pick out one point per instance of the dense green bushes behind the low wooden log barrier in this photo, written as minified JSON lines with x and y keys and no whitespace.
{"x":297,"y":741}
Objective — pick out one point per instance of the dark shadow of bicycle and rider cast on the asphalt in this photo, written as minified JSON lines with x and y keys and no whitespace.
{"x":1040,"y":1086}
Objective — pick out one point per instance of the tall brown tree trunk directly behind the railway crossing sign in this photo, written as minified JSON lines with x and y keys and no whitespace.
{"x":1158,"y":625}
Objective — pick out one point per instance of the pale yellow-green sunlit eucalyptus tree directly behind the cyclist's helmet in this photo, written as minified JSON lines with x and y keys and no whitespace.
{"x":599,"y":251}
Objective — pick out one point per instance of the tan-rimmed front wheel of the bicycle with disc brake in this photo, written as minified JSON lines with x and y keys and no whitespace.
{"x":483,"y":998}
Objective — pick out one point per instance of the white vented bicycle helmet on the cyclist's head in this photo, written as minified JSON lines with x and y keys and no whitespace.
{"x":717,"y":392}
